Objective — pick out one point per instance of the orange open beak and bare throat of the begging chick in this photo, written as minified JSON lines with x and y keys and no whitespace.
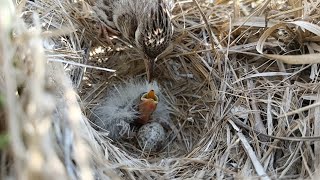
{"x":147,"y":106}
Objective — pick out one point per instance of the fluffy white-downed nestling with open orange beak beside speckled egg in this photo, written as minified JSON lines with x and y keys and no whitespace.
{"x":133,"y":102}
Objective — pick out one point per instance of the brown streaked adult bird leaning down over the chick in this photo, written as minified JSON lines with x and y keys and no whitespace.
{"x":145,"y":24}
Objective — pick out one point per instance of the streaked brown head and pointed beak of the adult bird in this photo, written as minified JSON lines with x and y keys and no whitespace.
{"x":154,"y":33}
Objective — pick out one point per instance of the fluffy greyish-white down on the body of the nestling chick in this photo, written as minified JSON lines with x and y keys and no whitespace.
{"x":118,"y":109}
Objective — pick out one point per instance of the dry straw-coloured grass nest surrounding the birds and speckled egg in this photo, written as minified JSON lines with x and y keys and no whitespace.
{"x":241,"y":82}
